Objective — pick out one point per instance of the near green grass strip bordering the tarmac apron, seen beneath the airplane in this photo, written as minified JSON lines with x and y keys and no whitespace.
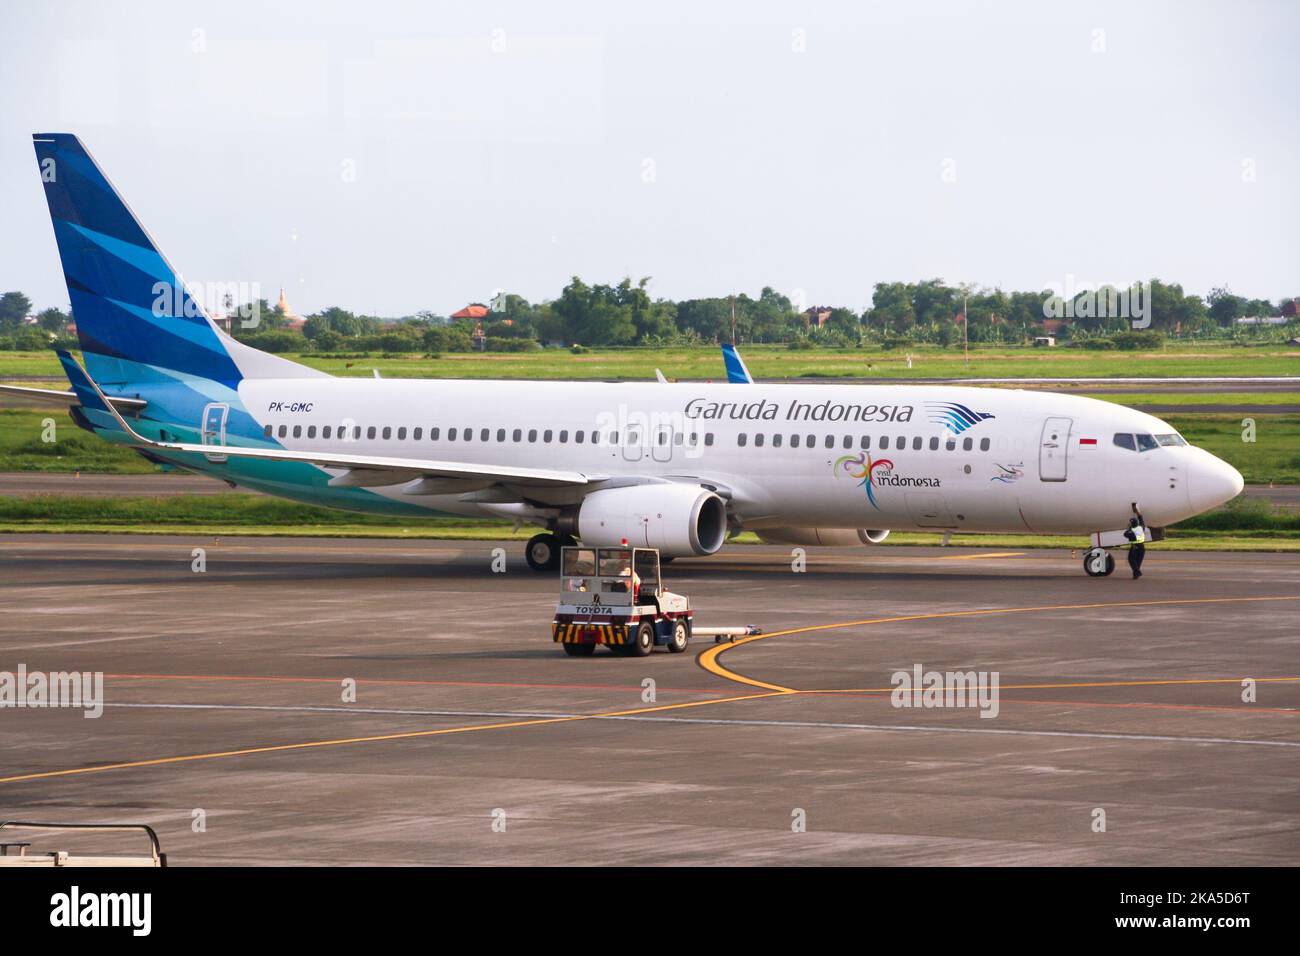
{"x":1243,"y":526}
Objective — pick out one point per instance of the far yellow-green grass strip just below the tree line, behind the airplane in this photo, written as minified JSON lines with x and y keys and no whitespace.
{"x":779,"y":362}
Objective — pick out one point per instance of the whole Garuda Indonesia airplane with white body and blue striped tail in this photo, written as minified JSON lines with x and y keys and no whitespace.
{"x":678,"y":466}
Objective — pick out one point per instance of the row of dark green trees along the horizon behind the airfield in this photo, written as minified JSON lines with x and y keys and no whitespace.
{"x":929,"y":312}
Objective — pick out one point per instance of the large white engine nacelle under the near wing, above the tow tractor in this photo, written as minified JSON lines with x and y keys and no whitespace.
{"x":678,"y":520}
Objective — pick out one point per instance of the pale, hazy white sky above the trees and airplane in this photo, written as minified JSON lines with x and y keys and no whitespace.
{"x":396,"y":157}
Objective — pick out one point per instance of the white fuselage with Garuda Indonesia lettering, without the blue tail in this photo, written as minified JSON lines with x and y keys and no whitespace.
{"x":787,"y":456}
